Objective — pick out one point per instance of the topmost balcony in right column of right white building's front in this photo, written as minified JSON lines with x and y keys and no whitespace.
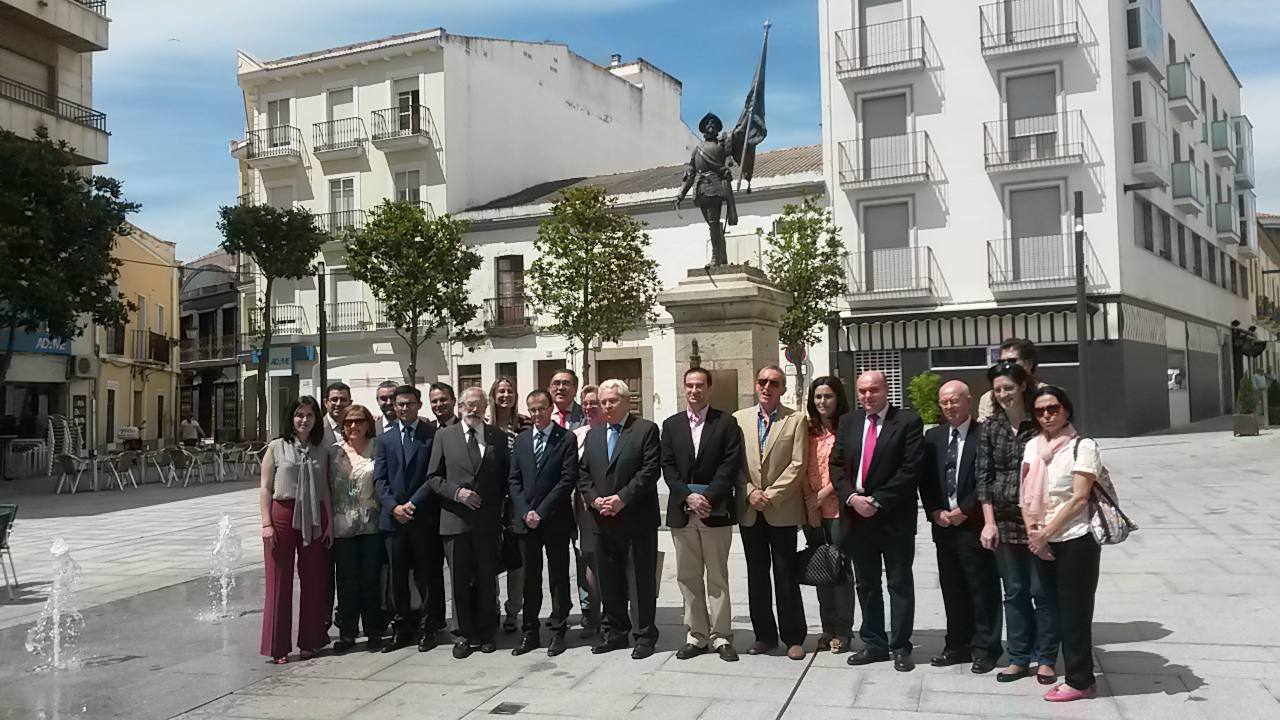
{"x":1022,"y":26}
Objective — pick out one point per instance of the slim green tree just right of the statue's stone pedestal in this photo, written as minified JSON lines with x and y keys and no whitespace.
{"x":803,"y":257}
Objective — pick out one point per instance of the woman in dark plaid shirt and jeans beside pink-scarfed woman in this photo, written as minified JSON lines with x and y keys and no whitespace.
{"x":1031,"y":596}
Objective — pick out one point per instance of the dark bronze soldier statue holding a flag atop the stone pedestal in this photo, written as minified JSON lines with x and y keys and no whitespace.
{"x":710,"y":172}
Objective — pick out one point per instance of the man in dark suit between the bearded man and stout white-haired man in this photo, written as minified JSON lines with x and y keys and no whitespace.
{"x":543,"y":477}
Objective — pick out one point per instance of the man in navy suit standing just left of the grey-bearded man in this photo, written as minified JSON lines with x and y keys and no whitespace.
{"x":413,"y":530}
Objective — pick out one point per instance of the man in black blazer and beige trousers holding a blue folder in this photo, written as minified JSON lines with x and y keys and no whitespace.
{"x":702,"y":458}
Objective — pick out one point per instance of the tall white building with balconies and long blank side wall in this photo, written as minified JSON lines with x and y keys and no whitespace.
{"x":441,"y":120}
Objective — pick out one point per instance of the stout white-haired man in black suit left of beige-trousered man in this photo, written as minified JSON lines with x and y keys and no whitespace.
{"x":619,"y":481}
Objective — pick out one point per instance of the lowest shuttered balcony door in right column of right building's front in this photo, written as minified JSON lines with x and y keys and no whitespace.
{"x":1039,"y":250}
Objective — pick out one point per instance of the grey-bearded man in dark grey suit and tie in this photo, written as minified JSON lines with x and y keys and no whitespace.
{"x":469,"y":471}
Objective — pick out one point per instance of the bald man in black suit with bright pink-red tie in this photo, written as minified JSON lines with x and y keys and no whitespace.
{"x":876,"y":467}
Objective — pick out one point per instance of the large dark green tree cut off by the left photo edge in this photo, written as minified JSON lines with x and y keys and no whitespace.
{"x":58,"y":229}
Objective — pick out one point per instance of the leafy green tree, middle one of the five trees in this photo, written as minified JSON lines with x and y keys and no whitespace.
{"x":419,"y":270}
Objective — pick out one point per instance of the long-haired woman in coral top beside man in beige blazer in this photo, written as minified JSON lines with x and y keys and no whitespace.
{"x":828,"y":404}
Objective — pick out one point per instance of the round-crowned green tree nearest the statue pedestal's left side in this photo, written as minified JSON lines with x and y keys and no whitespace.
{"x":593,"y":274}
